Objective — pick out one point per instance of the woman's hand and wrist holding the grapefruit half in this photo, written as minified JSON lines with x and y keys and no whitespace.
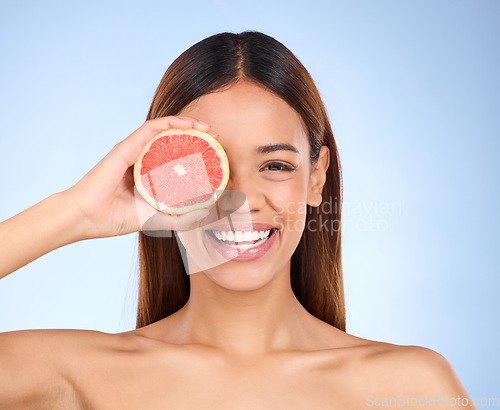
{"x":104,"y":198}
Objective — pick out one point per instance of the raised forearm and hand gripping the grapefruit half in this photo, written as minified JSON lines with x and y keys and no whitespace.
{"x":102,"y":204}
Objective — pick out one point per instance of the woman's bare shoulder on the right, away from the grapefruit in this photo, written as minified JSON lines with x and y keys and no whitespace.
{"x":392,"y":370}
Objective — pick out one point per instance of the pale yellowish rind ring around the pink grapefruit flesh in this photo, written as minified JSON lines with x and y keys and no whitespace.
{"x":182,"y":210}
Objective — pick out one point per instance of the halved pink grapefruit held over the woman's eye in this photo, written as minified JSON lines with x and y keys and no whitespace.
{"x":179,"y":171}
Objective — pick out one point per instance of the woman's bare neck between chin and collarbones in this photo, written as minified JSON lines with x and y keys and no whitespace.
{"x":244,"y":323}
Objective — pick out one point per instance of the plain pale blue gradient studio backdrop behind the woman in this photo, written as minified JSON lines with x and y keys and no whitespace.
{"x":412,"y":89}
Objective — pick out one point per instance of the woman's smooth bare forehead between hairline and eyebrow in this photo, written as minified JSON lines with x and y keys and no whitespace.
{"x":246,"y":116}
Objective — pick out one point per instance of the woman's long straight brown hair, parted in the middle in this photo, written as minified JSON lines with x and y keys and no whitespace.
{"x":210,"y":65}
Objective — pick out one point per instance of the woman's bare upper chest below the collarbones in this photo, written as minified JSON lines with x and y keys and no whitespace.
{"x":185,"y":382}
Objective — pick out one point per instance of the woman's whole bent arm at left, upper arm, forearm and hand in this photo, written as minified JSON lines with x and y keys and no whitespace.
{"x":36,"y":365}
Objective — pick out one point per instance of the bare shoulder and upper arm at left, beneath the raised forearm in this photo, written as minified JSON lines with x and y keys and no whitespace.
{"x":39,"y":366}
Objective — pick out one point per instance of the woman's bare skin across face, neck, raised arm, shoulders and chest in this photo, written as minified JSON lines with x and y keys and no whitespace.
{"x":243,"y":341}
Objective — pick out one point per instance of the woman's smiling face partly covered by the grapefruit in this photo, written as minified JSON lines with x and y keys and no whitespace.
{"x":270,"y":187}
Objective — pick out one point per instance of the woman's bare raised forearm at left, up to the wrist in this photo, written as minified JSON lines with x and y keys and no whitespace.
{"x":46,"y":226}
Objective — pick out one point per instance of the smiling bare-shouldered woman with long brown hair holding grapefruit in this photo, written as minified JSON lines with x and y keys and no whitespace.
{"x":262,"y":333}
